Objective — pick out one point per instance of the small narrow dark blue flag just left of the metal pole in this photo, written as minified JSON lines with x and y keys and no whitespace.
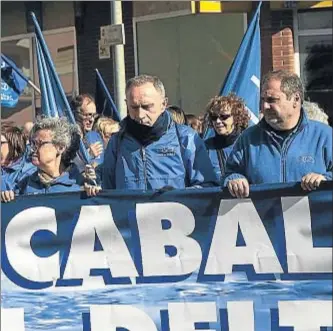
{"x":104,"y":103}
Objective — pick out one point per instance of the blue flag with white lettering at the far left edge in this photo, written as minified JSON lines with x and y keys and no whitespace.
{"x":13,"y":82}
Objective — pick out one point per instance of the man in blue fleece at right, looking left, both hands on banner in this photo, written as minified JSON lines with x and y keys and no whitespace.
{"x":285,"y":146}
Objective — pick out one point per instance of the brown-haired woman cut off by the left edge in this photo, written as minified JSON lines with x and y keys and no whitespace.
{"x":14,"y":165}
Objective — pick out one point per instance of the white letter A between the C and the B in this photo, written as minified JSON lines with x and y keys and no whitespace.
{"x":114,"y":256}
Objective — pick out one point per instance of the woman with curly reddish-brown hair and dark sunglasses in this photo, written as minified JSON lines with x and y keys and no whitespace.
{"x":228,"y":117}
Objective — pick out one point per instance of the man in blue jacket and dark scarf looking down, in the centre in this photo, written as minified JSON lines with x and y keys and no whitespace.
{"x":151,"y":151}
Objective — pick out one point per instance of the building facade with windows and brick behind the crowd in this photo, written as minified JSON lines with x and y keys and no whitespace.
{"x":189,"y":44}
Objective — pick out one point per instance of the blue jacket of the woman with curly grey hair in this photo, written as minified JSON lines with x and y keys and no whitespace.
{"x":32,"y":185}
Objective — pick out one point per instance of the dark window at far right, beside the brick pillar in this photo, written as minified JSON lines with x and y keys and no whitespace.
{"x":315,"y":56}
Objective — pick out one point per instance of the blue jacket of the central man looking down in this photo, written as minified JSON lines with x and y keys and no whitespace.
{"x":177,"y":160}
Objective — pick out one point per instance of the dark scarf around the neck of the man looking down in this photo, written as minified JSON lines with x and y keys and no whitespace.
{"x":147,"y":134}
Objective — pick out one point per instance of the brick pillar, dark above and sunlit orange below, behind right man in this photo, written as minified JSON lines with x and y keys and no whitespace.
{"x":277,"y":46}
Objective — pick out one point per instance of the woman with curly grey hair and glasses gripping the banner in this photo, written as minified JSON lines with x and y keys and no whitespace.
{"x":54,"y":143}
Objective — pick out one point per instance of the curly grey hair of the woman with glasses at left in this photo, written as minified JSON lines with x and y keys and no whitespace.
{"x":64,"y":135}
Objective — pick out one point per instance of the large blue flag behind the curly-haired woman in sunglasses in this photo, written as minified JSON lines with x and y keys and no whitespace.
{"x":244,"y":75}
